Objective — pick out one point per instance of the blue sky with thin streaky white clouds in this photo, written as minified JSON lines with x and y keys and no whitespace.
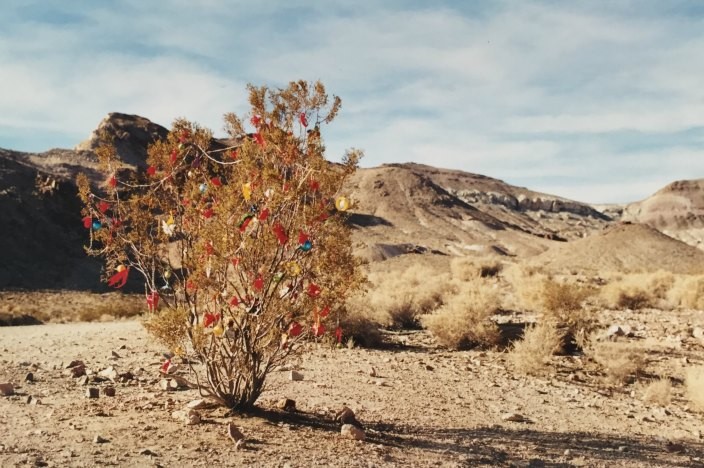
{"x":598,"y":101}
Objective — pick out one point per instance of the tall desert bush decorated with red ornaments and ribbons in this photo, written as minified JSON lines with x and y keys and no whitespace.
{"x":243,"y":249}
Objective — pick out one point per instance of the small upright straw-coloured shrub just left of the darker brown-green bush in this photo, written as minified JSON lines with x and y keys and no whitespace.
{"x":532,"y":354}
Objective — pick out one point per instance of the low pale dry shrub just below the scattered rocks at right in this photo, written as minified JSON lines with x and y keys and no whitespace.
{"x":621,"y":362}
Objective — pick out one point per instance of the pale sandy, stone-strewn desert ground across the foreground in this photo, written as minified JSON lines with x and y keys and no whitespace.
{"x":423,"y":406}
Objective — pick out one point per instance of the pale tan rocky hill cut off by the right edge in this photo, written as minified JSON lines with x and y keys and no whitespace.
{"x":676,"y":210}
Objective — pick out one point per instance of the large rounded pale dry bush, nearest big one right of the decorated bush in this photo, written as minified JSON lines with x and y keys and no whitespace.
{"x":465,"y":320}
